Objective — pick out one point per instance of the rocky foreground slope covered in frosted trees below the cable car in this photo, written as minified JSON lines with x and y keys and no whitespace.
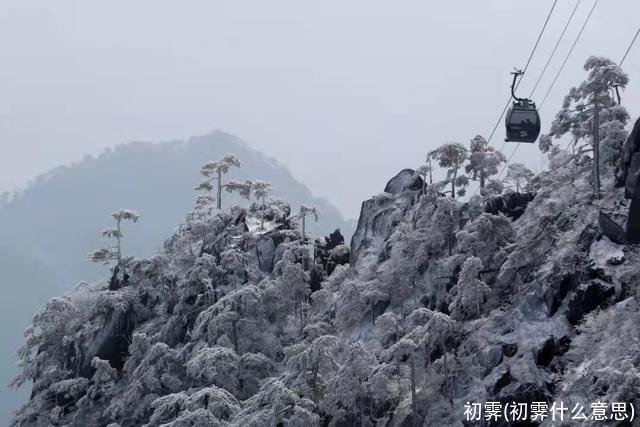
{"x":441,"y":304}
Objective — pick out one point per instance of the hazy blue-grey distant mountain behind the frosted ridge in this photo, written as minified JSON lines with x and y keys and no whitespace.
{"x":47,"y":229}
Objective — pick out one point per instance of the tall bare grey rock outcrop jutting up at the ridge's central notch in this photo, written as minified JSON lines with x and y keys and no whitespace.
{"x":379,"y":215}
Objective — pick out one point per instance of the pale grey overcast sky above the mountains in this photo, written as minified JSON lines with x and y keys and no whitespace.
{"x":345,"y":93}
